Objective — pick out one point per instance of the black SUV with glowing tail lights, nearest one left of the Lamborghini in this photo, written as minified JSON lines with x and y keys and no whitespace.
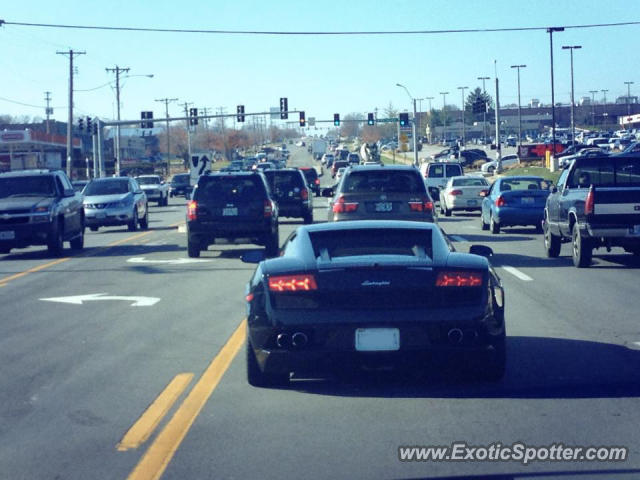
{"x":235,"y":206}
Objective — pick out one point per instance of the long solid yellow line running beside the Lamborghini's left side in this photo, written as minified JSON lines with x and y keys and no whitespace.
{"x":161,"y":451}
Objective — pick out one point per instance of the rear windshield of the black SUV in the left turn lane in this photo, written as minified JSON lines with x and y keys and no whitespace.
{"x":230,"y":188}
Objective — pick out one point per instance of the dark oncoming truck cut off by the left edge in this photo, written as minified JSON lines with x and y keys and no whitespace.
{"x":40,"y":207}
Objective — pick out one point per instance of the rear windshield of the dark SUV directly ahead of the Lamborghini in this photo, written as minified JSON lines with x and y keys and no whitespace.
{"x":387,"y":180}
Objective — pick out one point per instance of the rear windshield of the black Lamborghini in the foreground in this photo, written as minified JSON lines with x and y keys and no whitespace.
{"x":379,"y":241}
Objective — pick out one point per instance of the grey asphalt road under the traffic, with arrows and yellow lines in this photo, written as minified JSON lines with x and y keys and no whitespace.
{"x":77,"y":377}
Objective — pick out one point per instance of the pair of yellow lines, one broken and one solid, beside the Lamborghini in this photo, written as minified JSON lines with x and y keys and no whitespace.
{"x":157,"y":457}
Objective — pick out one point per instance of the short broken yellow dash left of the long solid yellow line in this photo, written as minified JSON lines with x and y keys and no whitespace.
{"x":152,"y":416}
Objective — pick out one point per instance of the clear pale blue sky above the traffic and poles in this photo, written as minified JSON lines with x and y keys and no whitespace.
{"x":320,"y":74}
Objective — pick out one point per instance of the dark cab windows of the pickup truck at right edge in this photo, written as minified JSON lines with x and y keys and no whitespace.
{"x":606,"y":172}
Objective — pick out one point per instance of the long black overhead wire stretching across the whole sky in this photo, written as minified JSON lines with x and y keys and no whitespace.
{"x":279,"y":32}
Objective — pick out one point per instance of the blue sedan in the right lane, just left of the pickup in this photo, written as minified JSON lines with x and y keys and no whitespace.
{"x":514,"y":201}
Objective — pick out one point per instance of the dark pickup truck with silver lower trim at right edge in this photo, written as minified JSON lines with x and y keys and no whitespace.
{"x":595,"y":204}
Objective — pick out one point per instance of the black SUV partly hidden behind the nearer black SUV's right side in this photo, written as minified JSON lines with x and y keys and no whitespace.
{"x":291,"y":192}
